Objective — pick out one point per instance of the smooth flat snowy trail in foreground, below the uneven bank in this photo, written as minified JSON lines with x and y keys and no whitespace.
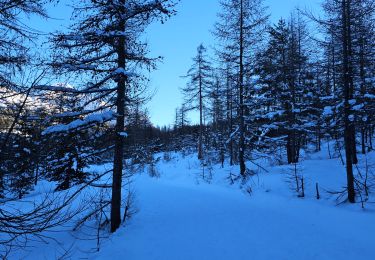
{"x":181,"y":221}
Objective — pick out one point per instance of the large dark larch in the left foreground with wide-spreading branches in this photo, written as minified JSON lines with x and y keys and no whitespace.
{"x":104,"y":47}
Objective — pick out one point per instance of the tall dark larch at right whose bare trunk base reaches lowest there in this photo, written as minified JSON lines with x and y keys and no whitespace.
{"x":347,"y":24}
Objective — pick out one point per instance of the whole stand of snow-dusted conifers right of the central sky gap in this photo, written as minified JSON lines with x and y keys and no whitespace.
{"x":271,"y":90}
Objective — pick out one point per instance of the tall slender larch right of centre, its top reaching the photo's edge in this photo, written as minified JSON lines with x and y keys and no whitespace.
{"x":239,"y":32}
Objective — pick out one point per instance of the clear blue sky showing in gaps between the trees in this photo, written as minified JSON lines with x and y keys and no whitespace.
{"x":176,"y":41}
